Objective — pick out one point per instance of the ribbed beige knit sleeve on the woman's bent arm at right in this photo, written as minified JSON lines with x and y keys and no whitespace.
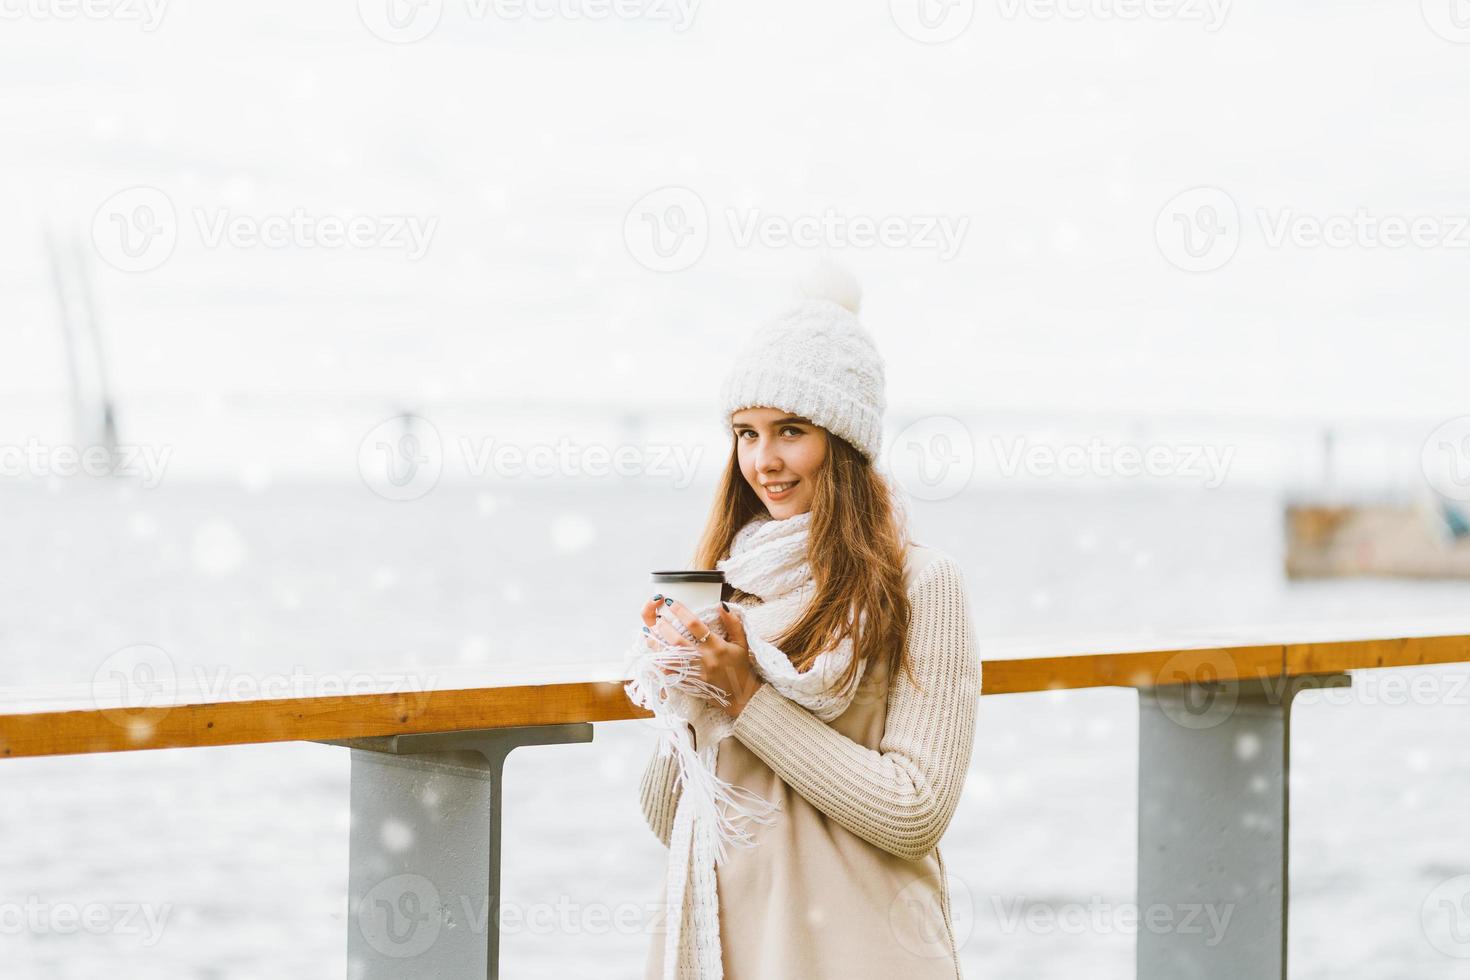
{"x":902,"y":797}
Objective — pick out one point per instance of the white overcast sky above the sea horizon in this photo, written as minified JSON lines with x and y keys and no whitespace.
{"x":1028,"y":174}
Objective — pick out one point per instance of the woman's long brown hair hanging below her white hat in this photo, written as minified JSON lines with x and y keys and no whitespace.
{"x":856,"y":550}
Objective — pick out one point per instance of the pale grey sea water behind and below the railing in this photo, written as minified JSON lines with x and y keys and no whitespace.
{"x":233,"y":862}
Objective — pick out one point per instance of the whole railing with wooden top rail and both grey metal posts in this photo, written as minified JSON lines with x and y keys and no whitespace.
{"x":1200,"y":696}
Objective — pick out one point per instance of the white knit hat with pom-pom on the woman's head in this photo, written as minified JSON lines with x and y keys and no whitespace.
{"x":815,"y":361}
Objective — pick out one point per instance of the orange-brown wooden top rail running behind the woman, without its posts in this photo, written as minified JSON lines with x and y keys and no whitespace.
{"x":76,"y":719}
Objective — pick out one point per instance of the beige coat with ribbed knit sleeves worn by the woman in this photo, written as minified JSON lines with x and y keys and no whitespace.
{"x":849,"y":882}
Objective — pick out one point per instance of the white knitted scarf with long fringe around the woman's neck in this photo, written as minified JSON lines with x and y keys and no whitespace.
{"x":770,"y":561}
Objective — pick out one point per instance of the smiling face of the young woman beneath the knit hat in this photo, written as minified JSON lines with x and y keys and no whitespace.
{"x":775,"y":450}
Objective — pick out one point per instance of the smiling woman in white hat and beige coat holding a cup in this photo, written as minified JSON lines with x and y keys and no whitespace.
{"x":846,"y":672}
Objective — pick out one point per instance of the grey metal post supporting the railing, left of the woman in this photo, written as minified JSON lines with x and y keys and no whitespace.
{"x":424,"y":868}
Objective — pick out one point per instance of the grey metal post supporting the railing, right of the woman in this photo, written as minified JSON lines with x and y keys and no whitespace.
{"x":1213,"y":819}
